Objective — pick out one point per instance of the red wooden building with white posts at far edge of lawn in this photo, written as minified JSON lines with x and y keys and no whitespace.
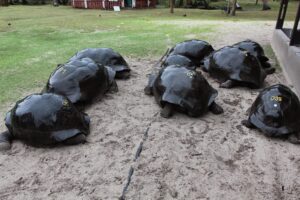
{"x":109,"y":4}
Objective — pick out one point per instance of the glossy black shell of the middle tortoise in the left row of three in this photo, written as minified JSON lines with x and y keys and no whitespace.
{"x":80,"y":80}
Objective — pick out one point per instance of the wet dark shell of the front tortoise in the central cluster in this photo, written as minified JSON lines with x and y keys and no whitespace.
{"x":185,"y":88}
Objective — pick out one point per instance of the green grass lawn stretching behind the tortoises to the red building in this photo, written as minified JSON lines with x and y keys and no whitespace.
{"x":40,"y":37}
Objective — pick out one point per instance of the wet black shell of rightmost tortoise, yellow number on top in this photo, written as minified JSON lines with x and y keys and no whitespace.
{"x":276,"y":111}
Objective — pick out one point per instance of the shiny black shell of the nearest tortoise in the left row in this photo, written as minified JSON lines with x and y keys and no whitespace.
{"x":43,"y":119}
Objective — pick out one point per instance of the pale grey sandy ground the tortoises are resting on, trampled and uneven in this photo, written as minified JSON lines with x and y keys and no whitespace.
{"x":211,"y":157}
